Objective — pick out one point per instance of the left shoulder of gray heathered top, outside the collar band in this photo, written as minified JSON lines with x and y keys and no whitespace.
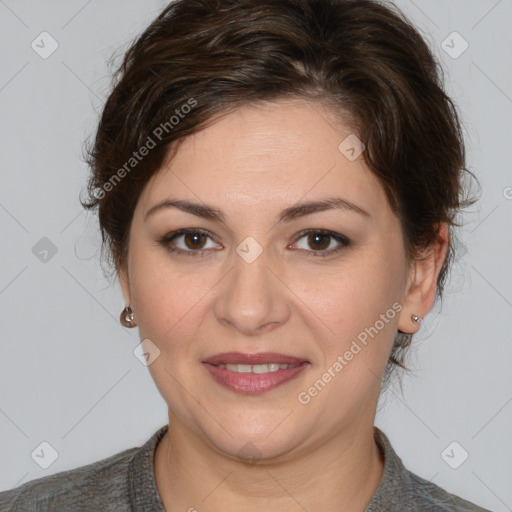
{"x":100,"y":485}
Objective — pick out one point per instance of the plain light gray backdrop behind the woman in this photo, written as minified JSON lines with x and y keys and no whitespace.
{"x":68,"y":375}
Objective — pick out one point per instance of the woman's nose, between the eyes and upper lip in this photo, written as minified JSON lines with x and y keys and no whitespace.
{"x":252,"y":298}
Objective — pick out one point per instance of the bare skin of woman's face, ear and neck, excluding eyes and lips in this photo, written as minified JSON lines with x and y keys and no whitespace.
{"x":251,"y":164}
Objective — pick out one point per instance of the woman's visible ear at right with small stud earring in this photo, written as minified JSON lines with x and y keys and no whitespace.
{"x":420,"y":293}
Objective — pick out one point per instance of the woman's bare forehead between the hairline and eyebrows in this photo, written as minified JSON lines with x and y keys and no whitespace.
{"x":268,"y":155}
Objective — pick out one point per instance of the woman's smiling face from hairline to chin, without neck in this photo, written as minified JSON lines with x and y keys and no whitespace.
{"x":256,"y":283}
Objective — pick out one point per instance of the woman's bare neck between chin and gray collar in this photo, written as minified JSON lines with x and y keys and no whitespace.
{"x":342,"y":473}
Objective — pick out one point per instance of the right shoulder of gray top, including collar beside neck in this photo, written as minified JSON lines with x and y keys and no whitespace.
{"x":400,"y":490}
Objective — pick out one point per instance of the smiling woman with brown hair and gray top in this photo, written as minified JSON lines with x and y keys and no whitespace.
{"x":276,"y":184}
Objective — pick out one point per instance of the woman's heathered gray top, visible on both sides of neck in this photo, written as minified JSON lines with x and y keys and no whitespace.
{"x":126,"y":482}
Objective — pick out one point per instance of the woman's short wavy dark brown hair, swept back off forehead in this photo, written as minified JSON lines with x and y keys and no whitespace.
{"x":203,"y":58}
